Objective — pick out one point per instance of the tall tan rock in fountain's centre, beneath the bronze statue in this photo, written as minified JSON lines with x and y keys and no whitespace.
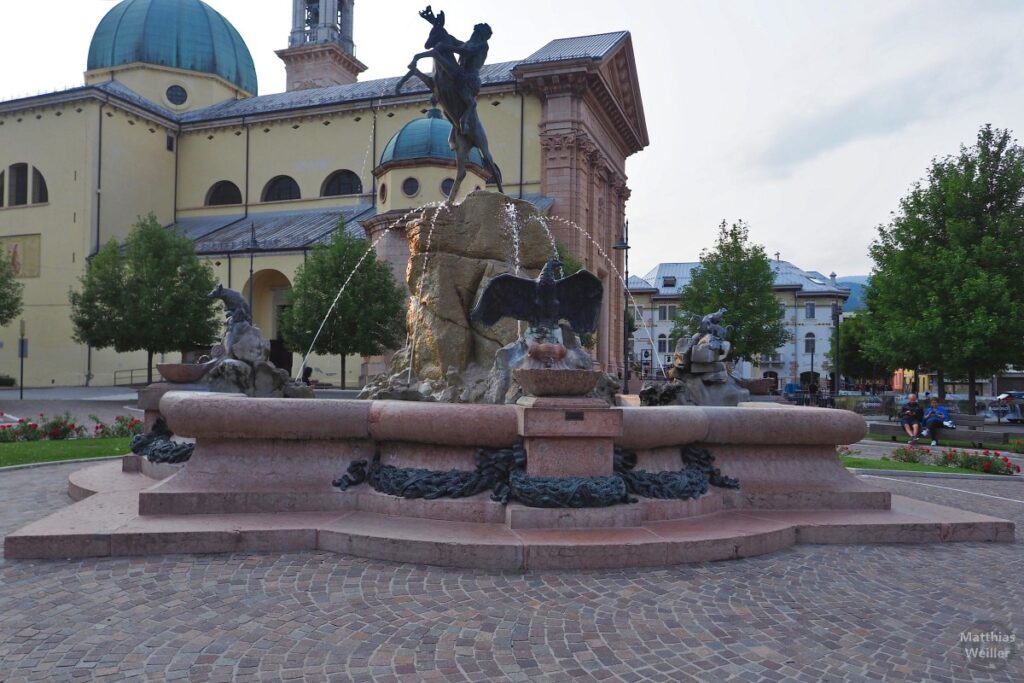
{"x":455,"y":252}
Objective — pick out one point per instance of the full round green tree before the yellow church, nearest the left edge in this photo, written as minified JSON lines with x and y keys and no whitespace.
{"x":151,"y":295}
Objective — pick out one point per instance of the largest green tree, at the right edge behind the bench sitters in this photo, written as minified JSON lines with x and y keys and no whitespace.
{"x":947,"y":288}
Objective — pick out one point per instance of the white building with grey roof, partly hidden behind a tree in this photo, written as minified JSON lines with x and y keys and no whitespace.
{"x":806,"y":301}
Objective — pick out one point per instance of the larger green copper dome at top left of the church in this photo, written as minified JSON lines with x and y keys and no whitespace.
{"x":182,"y":34}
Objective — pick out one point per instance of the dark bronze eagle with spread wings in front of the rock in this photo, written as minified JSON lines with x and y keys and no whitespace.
{"x":545,"y":302}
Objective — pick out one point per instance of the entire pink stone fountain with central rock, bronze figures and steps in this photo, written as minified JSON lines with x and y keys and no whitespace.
{"x":534,"y":469}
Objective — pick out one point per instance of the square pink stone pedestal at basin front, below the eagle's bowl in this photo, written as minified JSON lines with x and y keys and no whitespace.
{"x":569,"y":438}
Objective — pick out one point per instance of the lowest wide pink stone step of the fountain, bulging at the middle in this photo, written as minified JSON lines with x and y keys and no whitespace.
{"x":108,"y":524}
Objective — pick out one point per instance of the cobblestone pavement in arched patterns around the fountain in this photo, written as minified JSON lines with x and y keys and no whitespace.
{"x":808,"y":614}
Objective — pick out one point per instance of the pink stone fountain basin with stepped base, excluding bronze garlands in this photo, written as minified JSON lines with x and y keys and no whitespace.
{"x":261,"y":482}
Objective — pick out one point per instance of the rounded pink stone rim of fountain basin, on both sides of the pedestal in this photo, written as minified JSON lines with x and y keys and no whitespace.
{"x":203,"y":415}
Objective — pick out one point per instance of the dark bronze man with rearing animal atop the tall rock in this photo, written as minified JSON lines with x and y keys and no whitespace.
{"x":455,"y":84}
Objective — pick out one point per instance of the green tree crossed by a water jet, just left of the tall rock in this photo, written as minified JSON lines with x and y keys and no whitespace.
{"x":369,"y":316}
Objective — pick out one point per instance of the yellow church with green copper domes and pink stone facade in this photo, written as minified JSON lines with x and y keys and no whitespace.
{"x":170,"y":121}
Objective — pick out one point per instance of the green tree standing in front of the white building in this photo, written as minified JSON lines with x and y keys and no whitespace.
{"x":738,"y":276}
